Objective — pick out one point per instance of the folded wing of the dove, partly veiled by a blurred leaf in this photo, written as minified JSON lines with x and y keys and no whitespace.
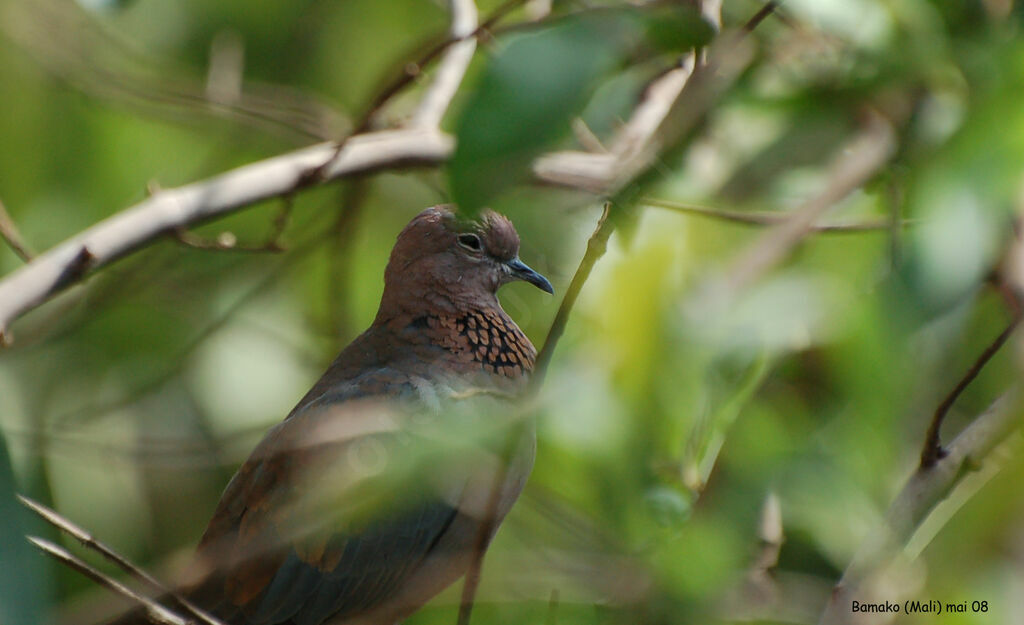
{"x":328,"y":517}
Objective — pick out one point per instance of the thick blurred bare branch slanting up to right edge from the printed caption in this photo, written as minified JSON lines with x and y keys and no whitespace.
{"x":926,"y":488}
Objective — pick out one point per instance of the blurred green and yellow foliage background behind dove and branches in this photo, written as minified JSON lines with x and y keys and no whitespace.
{"x":668,"y":436}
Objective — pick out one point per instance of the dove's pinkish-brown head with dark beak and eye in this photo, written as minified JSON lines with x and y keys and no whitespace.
{"x":451,"y":264}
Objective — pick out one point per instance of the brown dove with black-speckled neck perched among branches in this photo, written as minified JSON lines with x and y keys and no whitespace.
{"x":311,"y":530}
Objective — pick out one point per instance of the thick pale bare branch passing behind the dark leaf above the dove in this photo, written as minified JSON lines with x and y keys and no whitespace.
{"x":169,"y":211}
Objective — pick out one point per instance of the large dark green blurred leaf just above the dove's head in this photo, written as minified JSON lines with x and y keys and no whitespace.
{"x":537,"y":84}
